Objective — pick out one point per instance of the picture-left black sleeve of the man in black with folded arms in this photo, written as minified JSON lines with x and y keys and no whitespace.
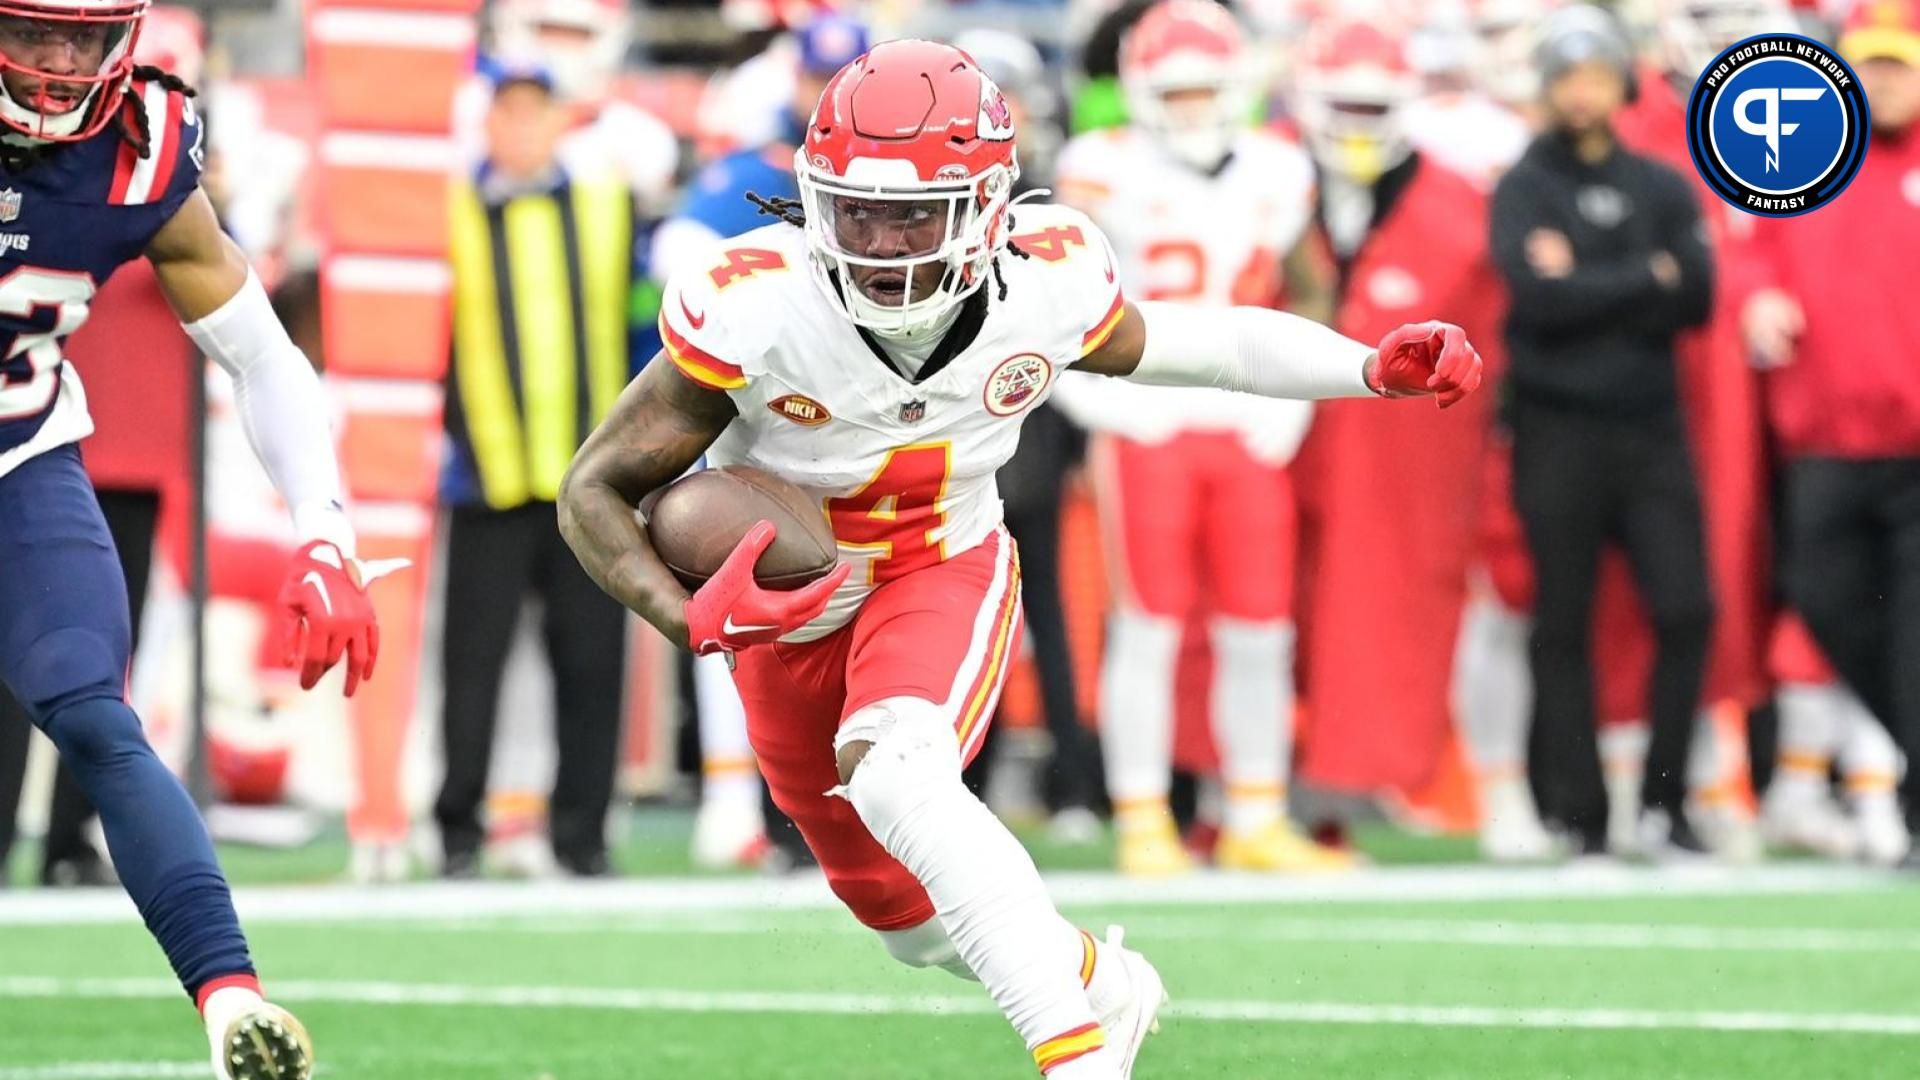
{"x":1593,"y":293}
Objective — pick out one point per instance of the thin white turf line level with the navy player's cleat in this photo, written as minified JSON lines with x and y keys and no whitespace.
{"x":402,"y":994}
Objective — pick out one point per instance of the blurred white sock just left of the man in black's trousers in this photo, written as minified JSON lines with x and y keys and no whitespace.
{"x":1495,"y":693}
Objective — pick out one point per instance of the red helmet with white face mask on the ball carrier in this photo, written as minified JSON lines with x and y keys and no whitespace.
{"x":909,"y":160}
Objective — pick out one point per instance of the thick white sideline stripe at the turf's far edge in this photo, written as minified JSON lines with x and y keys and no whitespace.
{"x":1383,"y":885}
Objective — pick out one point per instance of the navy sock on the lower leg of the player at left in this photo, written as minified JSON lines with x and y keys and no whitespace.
{"x":156,"y":837}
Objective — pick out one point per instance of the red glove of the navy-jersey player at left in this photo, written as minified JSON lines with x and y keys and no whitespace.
{"x":329,"y":616}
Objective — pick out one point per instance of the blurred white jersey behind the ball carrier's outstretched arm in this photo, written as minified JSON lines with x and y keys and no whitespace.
{"x":1197,"y":239}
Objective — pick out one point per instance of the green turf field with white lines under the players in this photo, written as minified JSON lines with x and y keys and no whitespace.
{"x":1431,"y":971}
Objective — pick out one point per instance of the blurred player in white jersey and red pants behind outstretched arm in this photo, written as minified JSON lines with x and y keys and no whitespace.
{"x":1193,"y":485}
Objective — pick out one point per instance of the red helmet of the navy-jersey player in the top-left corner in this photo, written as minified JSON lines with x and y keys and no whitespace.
{"x":66,"y":64}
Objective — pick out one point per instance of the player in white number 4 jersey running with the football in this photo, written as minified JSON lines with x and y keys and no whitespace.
{"x":921,"y":314}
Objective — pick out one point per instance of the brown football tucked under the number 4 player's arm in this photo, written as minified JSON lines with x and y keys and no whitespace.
{"x":700,"y":520}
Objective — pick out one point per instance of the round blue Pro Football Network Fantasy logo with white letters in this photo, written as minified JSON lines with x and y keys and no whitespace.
{"x":1779,"y":126}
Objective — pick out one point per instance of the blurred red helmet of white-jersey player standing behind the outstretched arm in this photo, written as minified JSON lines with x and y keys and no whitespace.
{"x":1188,"y":80}
